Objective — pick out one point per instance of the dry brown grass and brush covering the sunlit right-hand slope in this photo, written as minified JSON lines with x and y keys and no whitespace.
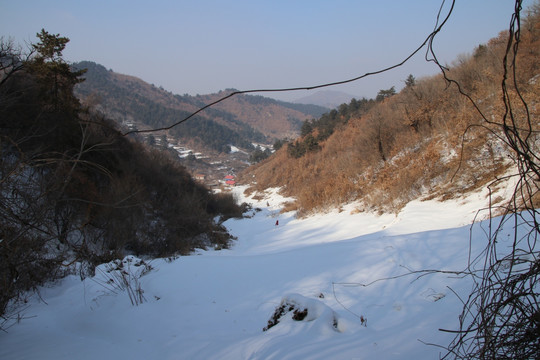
{"x":427,"y":141}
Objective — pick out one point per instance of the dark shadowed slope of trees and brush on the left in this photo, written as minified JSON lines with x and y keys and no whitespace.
{"x":73,"y":189}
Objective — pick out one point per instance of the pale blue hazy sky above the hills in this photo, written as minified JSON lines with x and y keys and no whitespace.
{"x":203,"y":46}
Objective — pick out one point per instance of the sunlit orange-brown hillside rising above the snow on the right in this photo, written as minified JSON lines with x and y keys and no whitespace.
{"x":428,"y":140}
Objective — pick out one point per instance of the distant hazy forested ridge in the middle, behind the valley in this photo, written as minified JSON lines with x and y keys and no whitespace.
{"x":240,"y":120}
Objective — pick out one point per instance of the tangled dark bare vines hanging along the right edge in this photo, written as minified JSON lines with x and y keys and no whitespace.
{"x":501,"y":317}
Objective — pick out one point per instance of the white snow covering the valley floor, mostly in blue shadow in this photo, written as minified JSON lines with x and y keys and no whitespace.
{"x":344,"y":267}
